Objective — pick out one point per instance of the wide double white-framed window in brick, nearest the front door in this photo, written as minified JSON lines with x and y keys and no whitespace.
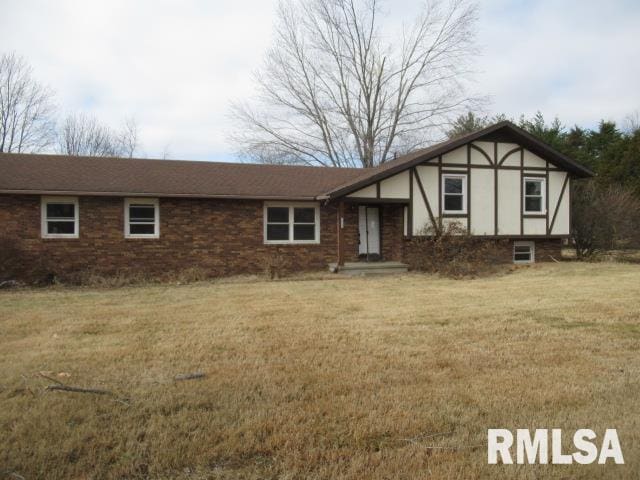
{"x":287,"y":223}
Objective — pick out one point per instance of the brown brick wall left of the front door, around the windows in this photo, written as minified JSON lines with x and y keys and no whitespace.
{"x":221,"y":237}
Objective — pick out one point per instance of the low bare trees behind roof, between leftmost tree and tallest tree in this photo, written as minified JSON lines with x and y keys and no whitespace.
{"x":82,"y":134}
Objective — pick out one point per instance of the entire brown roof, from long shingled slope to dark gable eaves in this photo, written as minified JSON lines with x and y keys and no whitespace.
{"x":22,"y":173}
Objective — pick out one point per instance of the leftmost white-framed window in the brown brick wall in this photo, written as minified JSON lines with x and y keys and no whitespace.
{"x":60,"y":217}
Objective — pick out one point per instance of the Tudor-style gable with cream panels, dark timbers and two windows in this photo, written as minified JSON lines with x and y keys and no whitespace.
{"x":498,"y":182}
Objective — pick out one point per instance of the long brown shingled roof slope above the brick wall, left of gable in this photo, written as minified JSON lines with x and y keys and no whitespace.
{"x":27,"y":173}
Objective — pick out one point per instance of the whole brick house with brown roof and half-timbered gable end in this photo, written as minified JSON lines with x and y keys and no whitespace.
{"x":60,"y":215}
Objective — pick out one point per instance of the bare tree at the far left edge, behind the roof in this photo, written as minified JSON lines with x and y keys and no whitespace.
{"x":26,"y":108}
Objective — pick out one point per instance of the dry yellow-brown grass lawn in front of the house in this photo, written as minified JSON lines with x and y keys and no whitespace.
{"x":395,"y":377}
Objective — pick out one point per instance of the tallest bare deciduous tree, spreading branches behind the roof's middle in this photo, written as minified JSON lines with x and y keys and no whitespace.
{"x":337,"y":91}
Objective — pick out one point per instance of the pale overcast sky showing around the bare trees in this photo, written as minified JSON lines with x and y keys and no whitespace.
{"x":175,"y":65}
